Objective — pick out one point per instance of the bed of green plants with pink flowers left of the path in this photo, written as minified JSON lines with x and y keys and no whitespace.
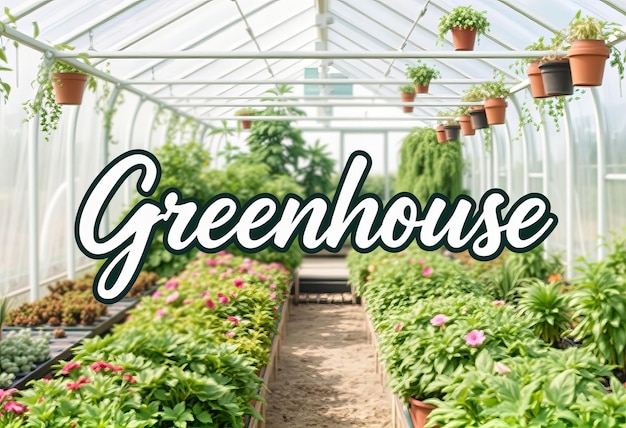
{"x":190,"y":354}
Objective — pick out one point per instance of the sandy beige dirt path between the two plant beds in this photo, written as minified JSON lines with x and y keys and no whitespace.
{"x":327,"y":372}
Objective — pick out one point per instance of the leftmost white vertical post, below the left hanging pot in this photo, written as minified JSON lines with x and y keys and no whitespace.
{"x":33,"y":208}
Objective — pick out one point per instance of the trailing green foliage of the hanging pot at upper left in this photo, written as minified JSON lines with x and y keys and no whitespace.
{"x":44,"y":103}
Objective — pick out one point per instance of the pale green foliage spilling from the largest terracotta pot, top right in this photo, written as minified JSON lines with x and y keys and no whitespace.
{"x":591,"y":28}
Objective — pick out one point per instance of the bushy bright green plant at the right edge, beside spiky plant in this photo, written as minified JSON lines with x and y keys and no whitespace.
{"x":598,"y":300}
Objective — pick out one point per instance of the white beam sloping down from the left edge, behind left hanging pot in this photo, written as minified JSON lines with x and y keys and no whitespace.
{"x":50,"y":52}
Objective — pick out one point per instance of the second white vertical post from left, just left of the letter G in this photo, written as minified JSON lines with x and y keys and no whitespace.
{"x":70,"y":174}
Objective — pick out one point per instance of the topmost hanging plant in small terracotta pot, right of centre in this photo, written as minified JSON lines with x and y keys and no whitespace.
{"x":466,"y":24}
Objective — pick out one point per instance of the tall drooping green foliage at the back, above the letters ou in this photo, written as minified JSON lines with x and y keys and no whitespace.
{"x":427,"y":167}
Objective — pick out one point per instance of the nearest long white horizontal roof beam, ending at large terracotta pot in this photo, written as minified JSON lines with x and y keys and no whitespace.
{"x":164,"y":55}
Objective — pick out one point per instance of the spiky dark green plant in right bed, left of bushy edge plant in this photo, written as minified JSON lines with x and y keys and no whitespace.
{"x":546,"y":309}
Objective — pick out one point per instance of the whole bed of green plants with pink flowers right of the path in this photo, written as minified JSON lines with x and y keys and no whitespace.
{"x":505,"y":343}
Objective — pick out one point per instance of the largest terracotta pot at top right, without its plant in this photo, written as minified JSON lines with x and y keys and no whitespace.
{"x":587,"y":59}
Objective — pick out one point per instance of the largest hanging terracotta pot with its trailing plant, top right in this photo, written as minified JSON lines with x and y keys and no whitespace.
{"x":588,"y":52}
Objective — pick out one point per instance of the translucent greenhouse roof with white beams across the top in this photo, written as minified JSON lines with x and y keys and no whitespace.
{"x":208,"y":58}
